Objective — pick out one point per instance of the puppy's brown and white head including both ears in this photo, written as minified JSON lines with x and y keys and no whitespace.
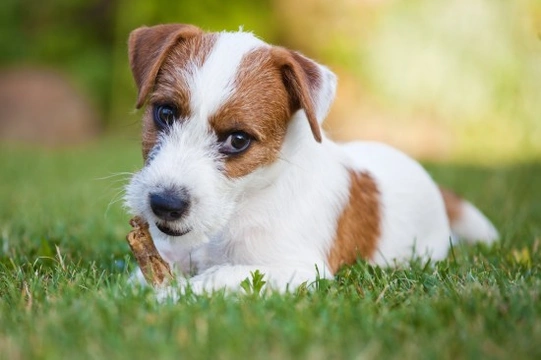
{"x":218,"y":110}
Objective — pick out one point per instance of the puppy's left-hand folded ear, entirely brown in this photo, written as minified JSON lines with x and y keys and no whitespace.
{"x":148,"y":48}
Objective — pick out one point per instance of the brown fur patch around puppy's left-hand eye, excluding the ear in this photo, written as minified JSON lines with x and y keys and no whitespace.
{"x":170,"y":85}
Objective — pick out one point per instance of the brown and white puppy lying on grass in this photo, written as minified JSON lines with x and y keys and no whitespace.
{"x":238,"y":175}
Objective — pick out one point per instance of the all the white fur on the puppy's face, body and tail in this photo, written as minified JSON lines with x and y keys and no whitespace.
{"x":281,"y":219}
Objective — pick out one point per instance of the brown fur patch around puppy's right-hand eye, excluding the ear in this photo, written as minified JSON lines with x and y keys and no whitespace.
{"x":260,"y":107}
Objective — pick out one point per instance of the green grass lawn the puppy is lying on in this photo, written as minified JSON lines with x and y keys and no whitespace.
{"x":64,"y":266}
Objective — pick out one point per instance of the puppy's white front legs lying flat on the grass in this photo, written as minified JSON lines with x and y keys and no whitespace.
{"x":230,"y":277}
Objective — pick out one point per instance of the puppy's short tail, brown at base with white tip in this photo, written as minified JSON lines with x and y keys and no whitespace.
{"x":467,"y":222}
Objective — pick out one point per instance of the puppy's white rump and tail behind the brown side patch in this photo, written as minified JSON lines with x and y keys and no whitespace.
{"x":418,"y":218}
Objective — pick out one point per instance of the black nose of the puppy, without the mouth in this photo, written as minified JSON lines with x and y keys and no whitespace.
{"x":169,"y":205}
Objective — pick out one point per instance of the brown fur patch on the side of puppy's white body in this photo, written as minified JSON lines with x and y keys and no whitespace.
{"x":359,"y":225}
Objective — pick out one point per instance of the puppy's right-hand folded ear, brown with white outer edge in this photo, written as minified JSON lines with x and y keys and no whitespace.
{"x":311,"y":86}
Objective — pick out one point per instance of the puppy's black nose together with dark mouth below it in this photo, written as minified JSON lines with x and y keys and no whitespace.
{"x":170,"y":205}
